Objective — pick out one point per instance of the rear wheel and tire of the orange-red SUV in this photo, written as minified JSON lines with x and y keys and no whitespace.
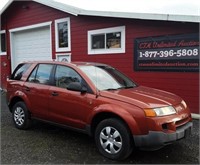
{"x":21,"y":116}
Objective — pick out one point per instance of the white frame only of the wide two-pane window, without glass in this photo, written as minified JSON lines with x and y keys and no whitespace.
{"x":105,"y":50}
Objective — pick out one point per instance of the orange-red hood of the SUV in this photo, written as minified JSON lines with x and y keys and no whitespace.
{"x":143,"y":97}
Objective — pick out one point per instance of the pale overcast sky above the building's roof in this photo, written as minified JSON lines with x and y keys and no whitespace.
{"x":147,"y":6}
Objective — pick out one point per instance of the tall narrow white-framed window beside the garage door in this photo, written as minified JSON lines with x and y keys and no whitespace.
{"x":63,"y":35}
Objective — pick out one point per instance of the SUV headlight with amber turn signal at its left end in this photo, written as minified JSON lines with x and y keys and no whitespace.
{"x":163,"y":111}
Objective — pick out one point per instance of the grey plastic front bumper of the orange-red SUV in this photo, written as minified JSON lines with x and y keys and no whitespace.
{"x":156,"y":140}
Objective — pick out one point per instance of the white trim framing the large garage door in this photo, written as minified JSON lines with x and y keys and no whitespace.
{"x":12,"y":31}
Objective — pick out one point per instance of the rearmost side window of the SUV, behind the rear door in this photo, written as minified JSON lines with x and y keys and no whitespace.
{"x":19,"y":71}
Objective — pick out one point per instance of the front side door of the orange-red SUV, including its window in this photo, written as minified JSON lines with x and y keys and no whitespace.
{"x":67,"y":106}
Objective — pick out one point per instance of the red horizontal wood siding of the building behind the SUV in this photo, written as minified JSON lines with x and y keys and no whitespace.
{"x":184,"y":84}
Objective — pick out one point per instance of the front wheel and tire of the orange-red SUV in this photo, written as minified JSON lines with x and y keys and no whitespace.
{"x":113,"y":139}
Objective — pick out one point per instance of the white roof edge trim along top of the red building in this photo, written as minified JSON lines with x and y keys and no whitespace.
{"x":143,"y":16}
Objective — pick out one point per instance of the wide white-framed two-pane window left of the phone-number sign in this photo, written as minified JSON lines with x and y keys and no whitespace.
{"x":106,"y":41}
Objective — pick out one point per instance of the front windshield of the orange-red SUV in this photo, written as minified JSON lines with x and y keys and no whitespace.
{"x":107,"y":78}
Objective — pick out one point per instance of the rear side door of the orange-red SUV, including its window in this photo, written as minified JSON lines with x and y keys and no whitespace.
{"x":37,"y":90}
